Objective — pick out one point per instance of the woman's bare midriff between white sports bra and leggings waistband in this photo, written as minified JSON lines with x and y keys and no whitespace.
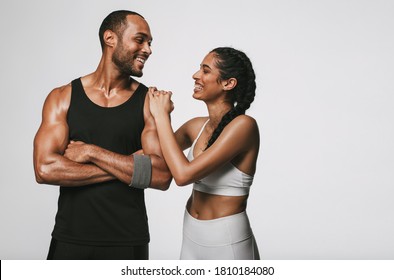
{"x":205,"y":206}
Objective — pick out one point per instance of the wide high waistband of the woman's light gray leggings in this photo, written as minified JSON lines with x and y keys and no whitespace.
{"x":217,"y":232}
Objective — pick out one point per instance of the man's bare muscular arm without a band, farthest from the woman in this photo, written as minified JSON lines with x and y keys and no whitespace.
{"x":50,"y":142}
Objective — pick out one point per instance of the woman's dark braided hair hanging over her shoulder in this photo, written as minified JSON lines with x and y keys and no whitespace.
{"x":233,"y":63}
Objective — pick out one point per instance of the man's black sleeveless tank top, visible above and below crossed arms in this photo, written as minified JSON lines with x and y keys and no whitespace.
{"x":109,"y":213}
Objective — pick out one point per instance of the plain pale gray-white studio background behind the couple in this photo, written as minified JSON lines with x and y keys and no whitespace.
{"x":324,"y":105}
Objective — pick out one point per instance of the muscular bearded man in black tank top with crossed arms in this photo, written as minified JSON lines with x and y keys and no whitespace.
{"x":98,"y":141}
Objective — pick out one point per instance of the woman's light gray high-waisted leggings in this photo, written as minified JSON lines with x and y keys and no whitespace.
{"x":227,"y":238}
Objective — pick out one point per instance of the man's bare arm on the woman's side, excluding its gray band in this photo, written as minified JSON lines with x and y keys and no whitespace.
{"x":122,"y":166}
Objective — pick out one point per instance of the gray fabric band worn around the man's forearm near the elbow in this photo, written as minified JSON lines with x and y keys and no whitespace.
{"x":142,"y":172}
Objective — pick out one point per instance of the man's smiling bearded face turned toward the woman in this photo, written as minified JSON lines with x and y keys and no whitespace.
{"x":133,"y":47}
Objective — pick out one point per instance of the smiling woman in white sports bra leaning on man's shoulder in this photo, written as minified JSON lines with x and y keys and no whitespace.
{"x":222,"y":159}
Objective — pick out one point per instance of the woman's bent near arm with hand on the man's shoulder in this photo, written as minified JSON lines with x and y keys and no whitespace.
{"x":236,"y":138}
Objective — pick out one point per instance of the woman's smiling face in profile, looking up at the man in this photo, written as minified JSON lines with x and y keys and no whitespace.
{"x":207,"y":85}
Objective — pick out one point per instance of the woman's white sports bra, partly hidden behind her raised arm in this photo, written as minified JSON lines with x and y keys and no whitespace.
{"x":227,"y":180}
